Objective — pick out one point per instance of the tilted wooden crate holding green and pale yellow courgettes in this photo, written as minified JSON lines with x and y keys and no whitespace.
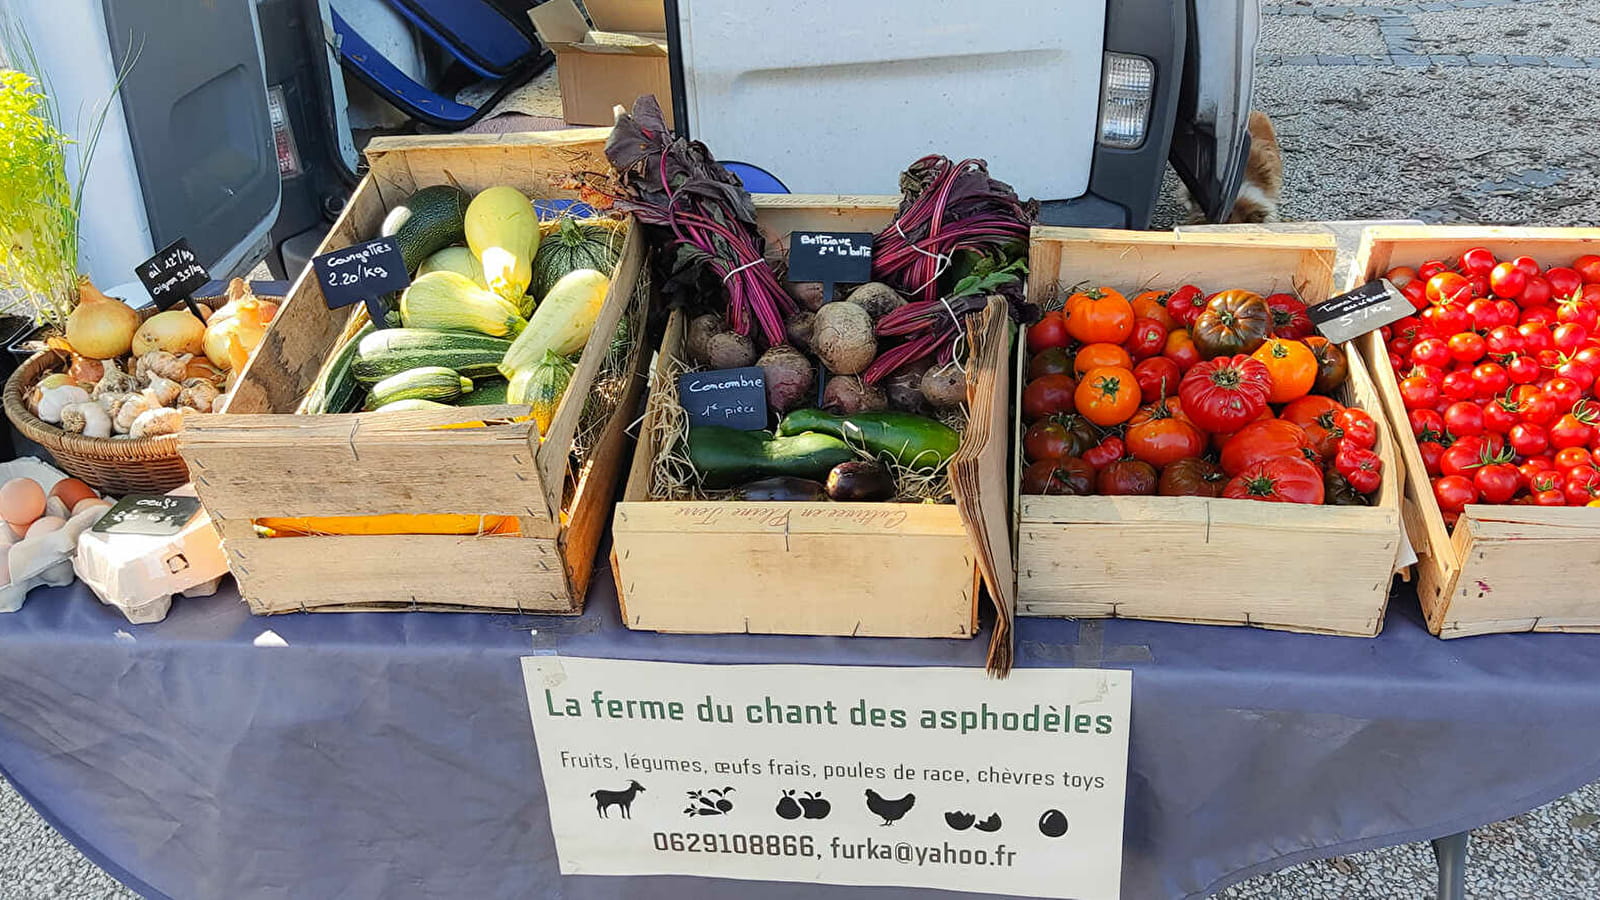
{"x":258,"y":460}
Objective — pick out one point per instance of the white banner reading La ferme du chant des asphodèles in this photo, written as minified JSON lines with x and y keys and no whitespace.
{"x":865,"y":776}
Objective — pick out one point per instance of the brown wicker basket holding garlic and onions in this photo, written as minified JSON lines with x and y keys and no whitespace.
{"x":150,"y":465}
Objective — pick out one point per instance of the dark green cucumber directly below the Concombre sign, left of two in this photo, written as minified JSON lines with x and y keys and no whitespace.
{"x":727,"y":457}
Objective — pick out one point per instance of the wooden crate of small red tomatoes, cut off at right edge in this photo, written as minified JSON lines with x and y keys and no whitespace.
{"x":1502,"y":568}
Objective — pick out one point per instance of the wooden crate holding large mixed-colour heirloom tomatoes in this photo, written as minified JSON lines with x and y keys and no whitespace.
{"x":1316,"y":569}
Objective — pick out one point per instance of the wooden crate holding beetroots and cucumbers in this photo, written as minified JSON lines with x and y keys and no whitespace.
{"x":849,"y":569}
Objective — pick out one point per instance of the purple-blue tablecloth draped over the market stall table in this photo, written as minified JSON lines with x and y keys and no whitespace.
{"x":391,"y":755}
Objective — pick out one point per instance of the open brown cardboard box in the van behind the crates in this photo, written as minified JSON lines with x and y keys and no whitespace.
{"x":614,"y":63}
